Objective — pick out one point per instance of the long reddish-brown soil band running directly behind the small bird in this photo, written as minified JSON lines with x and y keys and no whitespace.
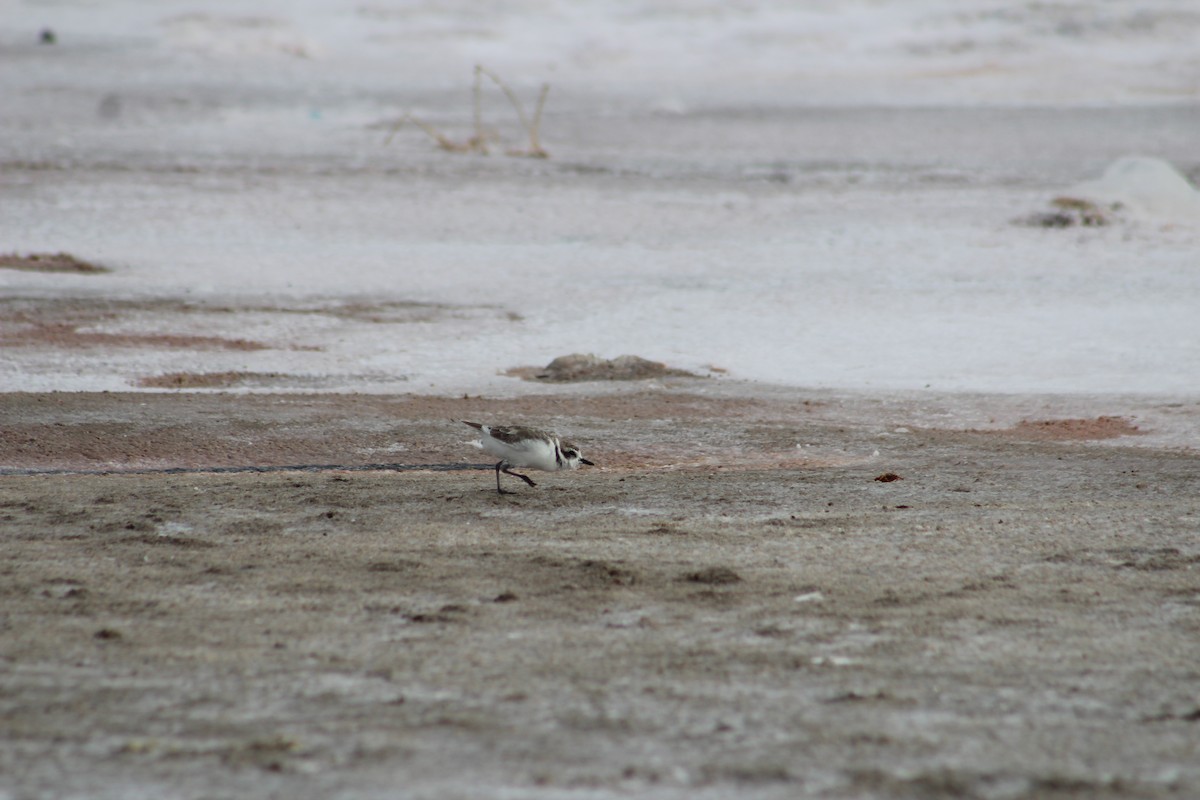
{"x":644,"y":431}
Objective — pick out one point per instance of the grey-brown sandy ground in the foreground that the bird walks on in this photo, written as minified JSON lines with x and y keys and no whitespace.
{"x":731,"y":603}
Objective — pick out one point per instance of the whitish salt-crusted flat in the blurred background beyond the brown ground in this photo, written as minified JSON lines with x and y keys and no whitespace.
{"x":863,"y":195}
